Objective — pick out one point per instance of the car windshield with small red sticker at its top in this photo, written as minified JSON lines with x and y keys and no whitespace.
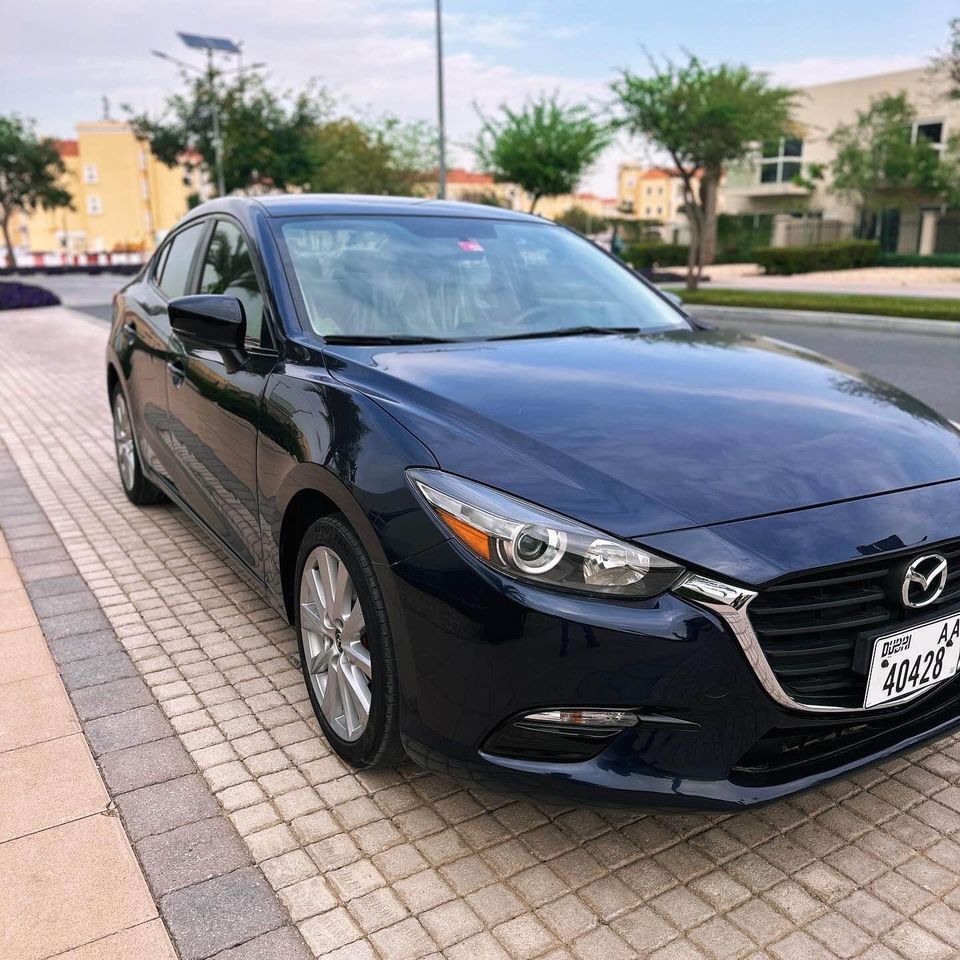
{"x":458,"y":278}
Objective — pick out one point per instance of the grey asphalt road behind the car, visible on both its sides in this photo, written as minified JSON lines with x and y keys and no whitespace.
{"x":926,"y":366}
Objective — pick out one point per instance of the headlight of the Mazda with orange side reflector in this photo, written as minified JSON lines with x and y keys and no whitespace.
{"x":531,"y":543}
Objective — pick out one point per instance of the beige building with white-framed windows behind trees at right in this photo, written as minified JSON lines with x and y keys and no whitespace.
{"x":763,"y":185}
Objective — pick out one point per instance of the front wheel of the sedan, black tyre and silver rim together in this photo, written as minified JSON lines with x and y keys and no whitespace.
{"x":346,"y":647}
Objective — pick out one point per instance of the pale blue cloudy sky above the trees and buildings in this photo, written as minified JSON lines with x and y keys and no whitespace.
{"x":59,"y":58}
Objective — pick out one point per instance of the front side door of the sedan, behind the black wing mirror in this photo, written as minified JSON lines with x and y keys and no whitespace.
{"x":214,"y":406}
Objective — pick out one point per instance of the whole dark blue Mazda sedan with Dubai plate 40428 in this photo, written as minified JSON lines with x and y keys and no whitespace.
{"x":535,"y":526}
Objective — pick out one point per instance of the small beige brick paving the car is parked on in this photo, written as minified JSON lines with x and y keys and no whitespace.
{"x":403,"y":864}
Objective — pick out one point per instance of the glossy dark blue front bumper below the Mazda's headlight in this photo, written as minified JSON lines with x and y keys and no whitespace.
{"x":481,"y":649}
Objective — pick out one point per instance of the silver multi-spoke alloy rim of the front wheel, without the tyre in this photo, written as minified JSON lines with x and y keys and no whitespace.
{"x":335,"y":643}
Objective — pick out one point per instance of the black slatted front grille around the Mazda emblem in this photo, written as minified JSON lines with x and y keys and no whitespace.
{"x":808,"y":625}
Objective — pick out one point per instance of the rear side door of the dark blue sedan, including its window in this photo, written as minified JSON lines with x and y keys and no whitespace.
{"x":144,"y":346}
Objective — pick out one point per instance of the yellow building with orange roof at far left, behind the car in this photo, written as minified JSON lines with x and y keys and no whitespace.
{"x":124,"y":199}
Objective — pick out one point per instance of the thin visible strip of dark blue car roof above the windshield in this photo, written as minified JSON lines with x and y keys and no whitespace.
{"x":317,"y":204}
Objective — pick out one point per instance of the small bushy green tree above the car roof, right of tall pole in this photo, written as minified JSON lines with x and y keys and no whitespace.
{"x":545,"y":148}
